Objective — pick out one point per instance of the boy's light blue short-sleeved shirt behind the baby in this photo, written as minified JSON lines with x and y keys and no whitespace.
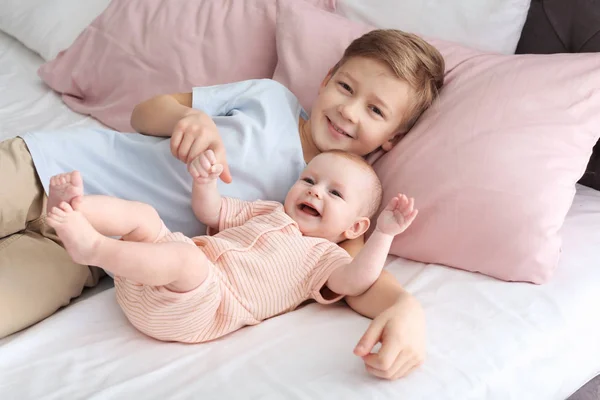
{"x":257,"y":120}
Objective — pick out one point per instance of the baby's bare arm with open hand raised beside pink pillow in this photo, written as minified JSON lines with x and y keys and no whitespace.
{"x":356,"y":277}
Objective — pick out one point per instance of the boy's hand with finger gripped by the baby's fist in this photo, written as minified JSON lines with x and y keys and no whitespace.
{"x":193,"y":135}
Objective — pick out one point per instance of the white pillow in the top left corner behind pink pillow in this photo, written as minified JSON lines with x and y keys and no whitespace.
{"x":48,"y":26}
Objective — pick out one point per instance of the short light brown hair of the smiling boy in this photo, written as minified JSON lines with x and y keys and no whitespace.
{"x":411,"y":58}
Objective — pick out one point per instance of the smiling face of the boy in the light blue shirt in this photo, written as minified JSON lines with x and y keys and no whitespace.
{"x":359,"y":108}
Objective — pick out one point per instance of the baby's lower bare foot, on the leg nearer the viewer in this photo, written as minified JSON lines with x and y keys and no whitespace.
{"x":79,"y":237}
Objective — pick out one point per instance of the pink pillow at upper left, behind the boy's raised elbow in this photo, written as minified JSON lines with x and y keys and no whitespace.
{"x":140,"y":48}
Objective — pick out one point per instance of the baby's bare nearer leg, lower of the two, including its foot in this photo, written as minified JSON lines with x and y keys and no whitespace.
{"x":180,"y":267}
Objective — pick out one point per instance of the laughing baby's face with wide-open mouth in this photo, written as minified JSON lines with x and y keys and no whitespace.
{"x":330,"y":198}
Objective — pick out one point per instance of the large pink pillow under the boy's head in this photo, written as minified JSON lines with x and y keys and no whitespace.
{"x":492,"y":165}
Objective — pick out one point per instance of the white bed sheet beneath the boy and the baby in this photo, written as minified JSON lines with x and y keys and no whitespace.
{"x":487,"y":339}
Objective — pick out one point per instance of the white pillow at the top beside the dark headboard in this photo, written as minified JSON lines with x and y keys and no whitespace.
{"x":490,"y":25}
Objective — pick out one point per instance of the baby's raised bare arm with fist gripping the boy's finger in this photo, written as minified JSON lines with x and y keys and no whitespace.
{"x":206,"y":199}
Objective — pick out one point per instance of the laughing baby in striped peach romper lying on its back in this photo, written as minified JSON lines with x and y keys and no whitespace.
{"x":259,"y":260}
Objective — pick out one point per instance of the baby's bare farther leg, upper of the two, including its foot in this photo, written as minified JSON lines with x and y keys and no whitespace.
{"x":134,"y":221}
